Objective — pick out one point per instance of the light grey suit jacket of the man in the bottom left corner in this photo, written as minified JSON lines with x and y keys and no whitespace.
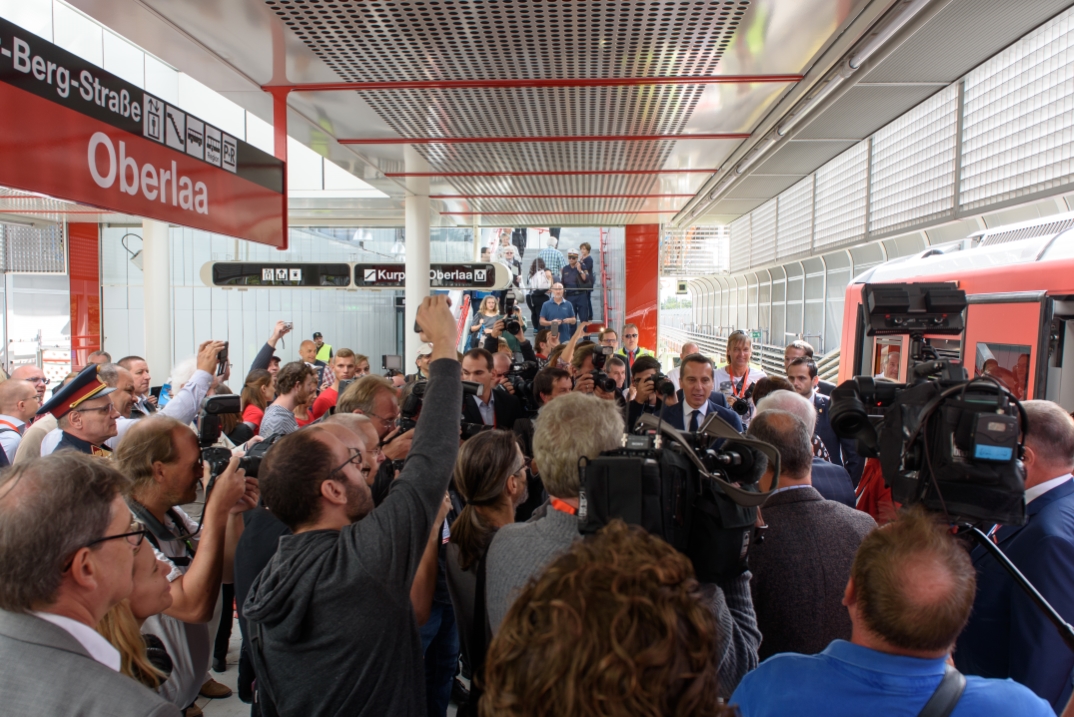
{"x":49,"y":672}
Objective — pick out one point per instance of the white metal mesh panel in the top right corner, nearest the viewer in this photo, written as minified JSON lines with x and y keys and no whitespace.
{"x":1019,"y":119}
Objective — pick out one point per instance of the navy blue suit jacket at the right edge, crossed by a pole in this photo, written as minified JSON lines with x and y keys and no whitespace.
{"x":1008,"y":636}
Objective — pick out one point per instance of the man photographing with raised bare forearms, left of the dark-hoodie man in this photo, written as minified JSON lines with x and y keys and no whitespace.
{"x":162,"y":458}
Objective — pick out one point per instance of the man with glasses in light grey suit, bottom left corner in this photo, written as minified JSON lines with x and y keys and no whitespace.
{"x":56,"y":586}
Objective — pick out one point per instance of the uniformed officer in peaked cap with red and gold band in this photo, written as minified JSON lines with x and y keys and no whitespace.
{"x":84,"y":413}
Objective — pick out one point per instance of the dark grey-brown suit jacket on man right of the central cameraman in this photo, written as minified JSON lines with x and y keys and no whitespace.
{"x":801,"y":572}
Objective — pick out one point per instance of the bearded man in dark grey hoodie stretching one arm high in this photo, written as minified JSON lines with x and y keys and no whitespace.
{"x":333,"y":606}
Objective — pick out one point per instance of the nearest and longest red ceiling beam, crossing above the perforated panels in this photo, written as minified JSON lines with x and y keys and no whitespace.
{"x":551,"y":82}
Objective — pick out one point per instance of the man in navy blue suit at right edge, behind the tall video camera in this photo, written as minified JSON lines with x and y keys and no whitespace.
{"x":1008,"y":636}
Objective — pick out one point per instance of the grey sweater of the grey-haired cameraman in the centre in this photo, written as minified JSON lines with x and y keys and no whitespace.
{"x":520,"y":551}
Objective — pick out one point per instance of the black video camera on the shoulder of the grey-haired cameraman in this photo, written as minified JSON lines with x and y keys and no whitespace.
{"x":699,"y":492}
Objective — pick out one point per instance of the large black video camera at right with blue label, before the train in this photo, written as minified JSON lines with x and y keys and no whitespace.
{"x":951,"y":444}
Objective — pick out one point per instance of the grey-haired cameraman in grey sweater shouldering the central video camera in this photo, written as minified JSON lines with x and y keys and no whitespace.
{"x":570,"y":428}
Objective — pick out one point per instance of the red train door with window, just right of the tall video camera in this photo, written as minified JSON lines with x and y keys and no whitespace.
{"x":1003,"y":340}
